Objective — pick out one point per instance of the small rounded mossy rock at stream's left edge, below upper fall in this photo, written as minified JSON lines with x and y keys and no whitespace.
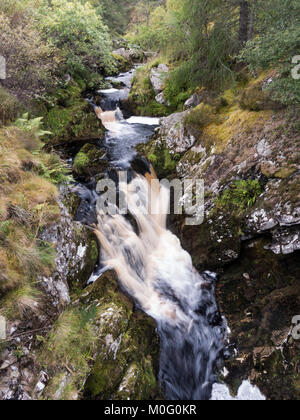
{"x":90,"y":161}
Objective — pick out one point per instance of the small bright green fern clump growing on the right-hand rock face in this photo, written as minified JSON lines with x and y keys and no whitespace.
{"x":240,"y":195}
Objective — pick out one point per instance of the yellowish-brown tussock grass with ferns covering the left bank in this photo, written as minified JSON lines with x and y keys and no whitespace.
{"x":28,"y":203}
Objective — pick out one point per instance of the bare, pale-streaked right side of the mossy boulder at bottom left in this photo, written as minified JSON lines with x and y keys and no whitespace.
{"x":130,"y":365}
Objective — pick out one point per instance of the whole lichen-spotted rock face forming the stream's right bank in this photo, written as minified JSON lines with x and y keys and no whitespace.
{"x":249,"y":161}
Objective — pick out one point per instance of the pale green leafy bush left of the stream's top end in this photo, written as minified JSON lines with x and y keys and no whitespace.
{"x":78,"y":31}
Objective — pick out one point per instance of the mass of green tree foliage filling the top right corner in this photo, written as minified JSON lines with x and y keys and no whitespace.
{"x":261,"y":34}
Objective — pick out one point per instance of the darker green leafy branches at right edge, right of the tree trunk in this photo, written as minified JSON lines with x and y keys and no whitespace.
{"x":275,"y":48}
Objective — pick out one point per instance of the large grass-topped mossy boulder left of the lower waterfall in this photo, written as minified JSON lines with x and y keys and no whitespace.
{"x":101,"y":348}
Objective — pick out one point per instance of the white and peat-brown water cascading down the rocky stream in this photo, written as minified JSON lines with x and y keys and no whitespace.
{"x":153,"y":267}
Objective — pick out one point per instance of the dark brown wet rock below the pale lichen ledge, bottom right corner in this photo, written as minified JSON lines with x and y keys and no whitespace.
{"x":261,"y":323}
